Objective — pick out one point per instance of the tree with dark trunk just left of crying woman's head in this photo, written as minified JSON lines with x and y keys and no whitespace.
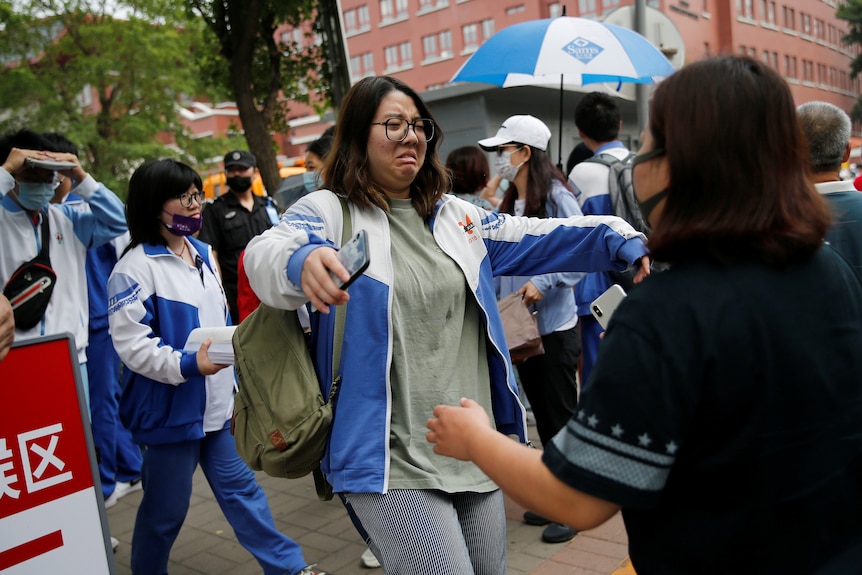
{"x":261,"y":73}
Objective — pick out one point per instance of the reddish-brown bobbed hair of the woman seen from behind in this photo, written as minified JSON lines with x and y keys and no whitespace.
{"x":738,"y":161}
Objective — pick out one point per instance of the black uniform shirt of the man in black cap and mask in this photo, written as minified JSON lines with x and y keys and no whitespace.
{"x":228,"y":227}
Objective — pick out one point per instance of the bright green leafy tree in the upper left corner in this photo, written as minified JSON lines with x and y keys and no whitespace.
{"x":110,"y":85}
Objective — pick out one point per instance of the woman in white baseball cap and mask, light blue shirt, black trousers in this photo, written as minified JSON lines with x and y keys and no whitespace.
{"x":537,"y":189}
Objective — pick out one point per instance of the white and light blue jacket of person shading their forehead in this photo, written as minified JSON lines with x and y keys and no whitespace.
{"x":74,"y":229}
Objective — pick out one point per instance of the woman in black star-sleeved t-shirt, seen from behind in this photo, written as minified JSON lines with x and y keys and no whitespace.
{"x":724,"y":411}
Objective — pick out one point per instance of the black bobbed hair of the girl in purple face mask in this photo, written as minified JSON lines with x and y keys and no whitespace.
{"x":151,"y":185}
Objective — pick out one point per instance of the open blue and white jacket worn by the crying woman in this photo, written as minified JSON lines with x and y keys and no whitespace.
{"x":483,"y":244}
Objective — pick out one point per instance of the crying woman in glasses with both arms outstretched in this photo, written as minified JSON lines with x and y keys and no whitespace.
{"x":421,"y":326}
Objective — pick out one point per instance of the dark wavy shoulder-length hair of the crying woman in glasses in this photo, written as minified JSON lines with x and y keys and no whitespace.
{"x":345,"y":170}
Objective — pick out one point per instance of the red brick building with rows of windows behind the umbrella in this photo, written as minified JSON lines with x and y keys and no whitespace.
{"x":424,"y":43}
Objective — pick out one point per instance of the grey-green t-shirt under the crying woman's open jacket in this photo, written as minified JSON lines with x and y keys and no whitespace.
{"x":438,"y":355}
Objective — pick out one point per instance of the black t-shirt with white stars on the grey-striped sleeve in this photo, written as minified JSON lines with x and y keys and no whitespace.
{"x":724,"y":414}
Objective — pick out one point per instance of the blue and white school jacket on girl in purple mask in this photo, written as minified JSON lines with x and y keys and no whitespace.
{"x":155,"y":300}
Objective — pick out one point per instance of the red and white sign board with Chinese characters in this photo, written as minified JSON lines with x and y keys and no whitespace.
{"x":52,"y":516}
